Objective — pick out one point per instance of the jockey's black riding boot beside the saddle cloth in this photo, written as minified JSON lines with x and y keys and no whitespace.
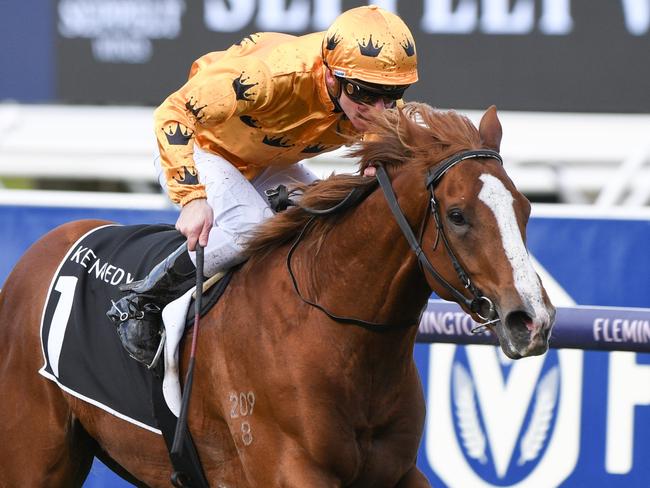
{"x":138,"y":315}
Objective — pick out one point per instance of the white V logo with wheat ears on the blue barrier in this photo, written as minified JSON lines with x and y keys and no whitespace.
{"x":496,"y":422}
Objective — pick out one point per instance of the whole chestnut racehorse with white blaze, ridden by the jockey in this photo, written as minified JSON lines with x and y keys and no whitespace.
{"x":305,"y":374}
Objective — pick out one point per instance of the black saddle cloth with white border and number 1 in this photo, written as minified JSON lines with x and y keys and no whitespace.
{"x":82,"y":351}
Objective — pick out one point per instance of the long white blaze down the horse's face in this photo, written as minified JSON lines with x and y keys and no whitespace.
{"x":498,"y":199}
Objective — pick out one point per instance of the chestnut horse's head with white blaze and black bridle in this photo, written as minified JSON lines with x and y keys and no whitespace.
{"x":474,"y":229}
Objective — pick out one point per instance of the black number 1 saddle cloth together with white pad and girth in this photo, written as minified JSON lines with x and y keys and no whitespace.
{"x":84,"y":355}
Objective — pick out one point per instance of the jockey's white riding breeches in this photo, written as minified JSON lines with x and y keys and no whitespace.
{"x":238,"y":205}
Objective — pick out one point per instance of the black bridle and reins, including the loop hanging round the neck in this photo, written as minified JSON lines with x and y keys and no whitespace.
{"x":476,"y":304}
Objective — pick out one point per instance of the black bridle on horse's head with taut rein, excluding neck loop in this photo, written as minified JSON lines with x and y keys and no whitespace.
{"x":478,"y":300}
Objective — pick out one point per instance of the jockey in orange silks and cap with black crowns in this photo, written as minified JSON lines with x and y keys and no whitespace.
{"x":240,"y":126}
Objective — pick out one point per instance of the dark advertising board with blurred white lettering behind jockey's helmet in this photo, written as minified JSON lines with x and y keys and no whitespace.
{"x":547,"y":55}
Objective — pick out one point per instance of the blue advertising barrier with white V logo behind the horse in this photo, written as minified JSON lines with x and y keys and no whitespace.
{"x":569,"y":418}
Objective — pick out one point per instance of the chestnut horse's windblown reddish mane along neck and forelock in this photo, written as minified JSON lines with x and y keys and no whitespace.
{"x":416,"y":134}
